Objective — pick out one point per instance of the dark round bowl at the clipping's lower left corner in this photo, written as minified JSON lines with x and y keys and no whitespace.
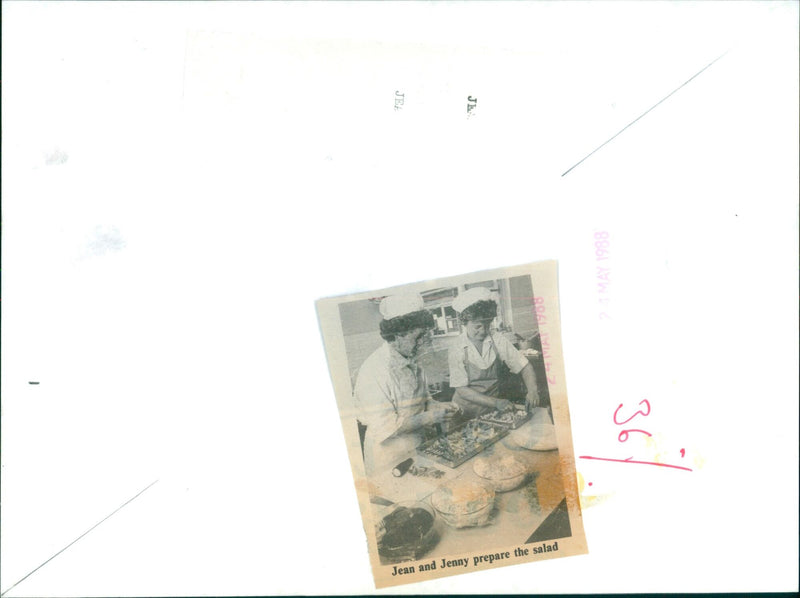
{"x":407,"y":532}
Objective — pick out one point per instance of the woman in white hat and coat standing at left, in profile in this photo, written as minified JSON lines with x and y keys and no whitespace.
{"x":391,"y":392}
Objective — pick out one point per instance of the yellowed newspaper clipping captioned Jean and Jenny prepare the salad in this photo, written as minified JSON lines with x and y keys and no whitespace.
{"x":453,"y":403}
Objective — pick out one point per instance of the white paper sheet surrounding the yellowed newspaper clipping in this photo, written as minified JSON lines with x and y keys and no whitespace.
{"x":182,"y":181}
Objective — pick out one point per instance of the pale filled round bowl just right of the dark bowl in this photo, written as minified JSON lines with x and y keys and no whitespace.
{"x":463,"y":503}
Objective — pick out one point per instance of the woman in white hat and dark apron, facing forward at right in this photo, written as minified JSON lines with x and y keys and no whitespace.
{"x":476,"y":359}
